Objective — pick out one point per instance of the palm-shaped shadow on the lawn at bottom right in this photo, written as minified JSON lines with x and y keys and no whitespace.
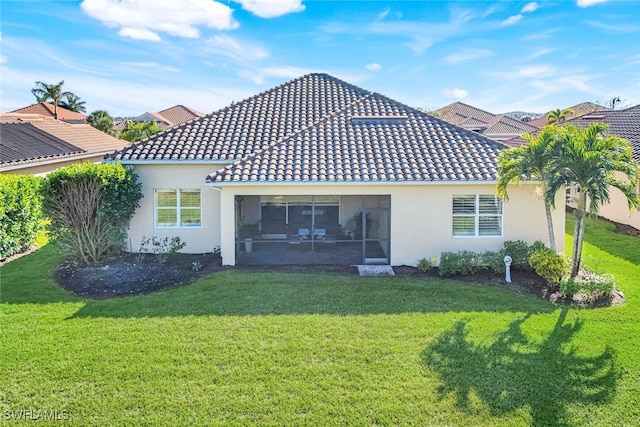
{"x":514,"y":373}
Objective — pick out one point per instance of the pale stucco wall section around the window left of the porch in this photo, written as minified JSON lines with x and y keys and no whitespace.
{"x":179,"y":176}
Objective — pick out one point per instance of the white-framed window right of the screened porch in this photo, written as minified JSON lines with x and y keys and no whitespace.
{"x":477,"y":215}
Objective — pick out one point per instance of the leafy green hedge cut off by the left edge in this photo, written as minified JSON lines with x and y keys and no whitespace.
{"x":20,"y":213}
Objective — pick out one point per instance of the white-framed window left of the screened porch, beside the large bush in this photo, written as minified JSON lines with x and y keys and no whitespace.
{"x":178,"y":208}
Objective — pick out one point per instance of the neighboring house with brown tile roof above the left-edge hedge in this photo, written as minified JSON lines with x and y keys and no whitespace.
{"x":35,"y":144}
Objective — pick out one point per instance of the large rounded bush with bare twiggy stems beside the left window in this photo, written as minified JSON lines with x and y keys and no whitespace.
{"x":90,"y":206}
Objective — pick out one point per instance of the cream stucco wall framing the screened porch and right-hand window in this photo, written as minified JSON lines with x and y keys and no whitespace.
{"x":421,"y":218}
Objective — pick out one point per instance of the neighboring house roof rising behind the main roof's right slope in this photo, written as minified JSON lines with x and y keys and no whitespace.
{"x":498,"y":127}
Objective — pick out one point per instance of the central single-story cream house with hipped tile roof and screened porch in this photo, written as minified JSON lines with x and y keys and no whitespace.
{"x":319,"y":171}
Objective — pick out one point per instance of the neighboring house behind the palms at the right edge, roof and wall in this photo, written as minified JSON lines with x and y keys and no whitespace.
{"x":626,"y":124}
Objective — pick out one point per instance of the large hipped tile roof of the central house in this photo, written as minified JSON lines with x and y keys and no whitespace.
{"x":320,"y":129}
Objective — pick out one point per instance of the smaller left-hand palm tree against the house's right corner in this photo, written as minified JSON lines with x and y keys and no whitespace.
{"x":529,"y":161}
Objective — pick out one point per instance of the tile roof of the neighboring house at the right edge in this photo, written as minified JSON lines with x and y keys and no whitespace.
{"x":624,"y":123}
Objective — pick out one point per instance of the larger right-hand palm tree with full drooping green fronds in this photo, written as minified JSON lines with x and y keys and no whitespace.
{"x":593,"y":162}
